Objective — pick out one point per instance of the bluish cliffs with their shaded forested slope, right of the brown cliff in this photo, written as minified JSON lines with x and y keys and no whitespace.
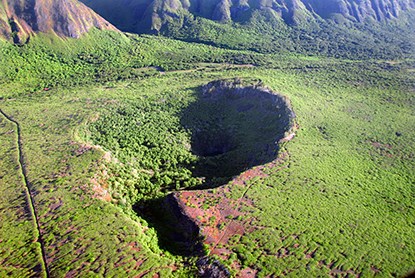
{"x":347,"y":29}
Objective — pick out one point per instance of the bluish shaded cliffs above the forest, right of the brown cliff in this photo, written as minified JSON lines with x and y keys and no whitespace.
{"x":146,"y":15}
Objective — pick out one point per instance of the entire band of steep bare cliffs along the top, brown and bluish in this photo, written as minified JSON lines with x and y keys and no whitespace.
{"x":19,"y":19}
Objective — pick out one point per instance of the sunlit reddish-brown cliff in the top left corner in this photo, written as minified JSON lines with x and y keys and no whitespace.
{"x":67,"y":18}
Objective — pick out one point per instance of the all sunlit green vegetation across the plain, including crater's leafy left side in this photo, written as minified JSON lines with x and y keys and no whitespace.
{"x":342,"y":204}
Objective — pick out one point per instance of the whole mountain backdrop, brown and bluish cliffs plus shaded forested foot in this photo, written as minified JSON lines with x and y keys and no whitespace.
{"x":338,"y":28}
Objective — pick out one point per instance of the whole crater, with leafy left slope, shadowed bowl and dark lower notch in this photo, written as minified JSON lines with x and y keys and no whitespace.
{"x":168,"y":144}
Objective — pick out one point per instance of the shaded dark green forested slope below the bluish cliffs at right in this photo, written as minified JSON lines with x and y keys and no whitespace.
{"x":347,"y":40}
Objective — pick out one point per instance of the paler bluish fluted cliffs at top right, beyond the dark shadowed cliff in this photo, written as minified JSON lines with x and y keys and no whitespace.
{"x":292,"y":10}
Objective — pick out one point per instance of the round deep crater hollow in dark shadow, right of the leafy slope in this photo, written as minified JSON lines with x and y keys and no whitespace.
{"x":235,"y":126}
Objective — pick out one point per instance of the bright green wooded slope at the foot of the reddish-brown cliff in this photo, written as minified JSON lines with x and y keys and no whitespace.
{"x":102,"y":56}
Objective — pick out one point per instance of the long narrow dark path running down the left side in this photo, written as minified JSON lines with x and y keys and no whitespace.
{"x":29,"y":195}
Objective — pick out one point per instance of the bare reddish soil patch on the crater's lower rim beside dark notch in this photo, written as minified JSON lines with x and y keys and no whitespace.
{"x":219,"y":215}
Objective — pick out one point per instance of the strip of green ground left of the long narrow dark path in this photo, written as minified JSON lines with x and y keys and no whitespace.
{"x":18,"y":232}
